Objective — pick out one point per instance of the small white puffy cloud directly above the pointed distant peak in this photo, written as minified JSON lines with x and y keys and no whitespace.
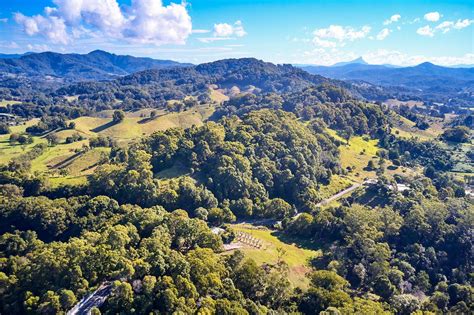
{"x":337,"y":35}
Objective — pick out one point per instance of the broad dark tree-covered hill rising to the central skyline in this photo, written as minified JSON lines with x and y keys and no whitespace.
{"x":232,"y":75}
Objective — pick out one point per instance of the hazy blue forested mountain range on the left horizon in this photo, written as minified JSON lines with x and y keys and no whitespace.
{"x":96,"y":65}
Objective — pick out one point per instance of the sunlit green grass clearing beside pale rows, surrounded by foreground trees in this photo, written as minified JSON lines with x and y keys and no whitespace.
{"x":296,"y":257}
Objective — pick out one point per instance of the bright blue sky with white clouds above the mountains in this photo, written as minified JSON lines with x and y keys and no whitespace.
{"x":298,"y":31}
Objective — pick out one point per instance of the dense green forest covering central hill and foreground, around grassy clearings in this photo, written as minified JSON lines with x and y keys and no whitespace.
{"x":266,"y":153}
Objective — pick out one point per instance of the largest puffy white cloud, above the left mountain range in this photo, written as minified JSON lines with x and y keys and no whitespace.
{"x":145,"y":21}
